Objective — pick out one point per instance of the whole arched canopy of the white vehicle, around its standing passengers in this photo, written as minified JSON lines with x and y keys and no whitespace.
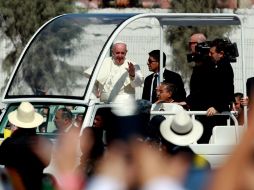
{"x":55,"y":61}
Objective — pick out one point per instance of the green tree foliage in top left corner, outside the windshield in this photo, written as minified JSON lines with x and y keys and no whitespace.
{"x":20,"y":19}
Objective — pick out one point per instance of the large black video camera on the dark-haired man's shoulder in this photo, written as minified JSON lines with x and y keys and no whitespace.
{"x":202,"y":50}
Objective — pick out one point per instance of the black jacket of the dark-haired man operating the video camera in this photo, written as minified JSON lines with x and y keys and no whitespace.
{"x":214,"y":88}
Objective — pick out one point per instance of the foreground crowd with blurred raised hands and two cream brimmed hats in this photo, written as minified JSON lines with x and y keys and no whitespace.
{"x":157,"y":159}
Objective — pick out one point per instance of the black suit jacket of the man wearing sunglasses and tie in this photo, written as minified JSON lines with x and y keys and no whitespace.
{"x":170,"y":77}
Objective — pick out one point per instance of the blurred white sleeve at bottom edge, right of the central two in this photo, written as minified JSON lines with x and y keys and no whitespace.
{"x":163,"y":183}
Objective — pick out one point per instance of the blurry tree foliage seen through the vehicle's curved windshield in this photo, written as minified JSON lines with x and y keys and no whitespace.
{"x":48,"y":53}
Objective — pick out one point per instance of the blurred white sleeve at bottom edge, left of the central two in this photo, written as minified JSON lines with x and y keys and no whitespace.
{"x":105,"y":183}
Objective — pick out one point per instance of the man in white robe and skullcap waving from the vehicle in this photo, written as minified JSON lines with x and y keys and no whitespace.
{"x":118,"y":76}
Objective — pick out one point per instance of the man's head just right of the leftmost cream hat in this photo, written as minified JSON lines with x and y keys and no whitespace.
{"x":63,"y":119}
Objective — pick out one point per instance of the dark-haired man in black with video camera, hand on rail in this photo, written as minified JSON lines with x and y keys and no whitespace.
{"x":214,"y":90}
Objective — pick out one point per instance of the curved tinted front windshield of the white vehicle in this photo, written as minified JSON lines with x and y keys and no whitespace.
{"x":53,"y":62}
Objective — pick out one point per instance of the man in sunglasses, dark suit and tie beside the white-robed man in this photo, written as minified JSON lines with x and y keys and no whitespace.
{"x":152,"y":80}
